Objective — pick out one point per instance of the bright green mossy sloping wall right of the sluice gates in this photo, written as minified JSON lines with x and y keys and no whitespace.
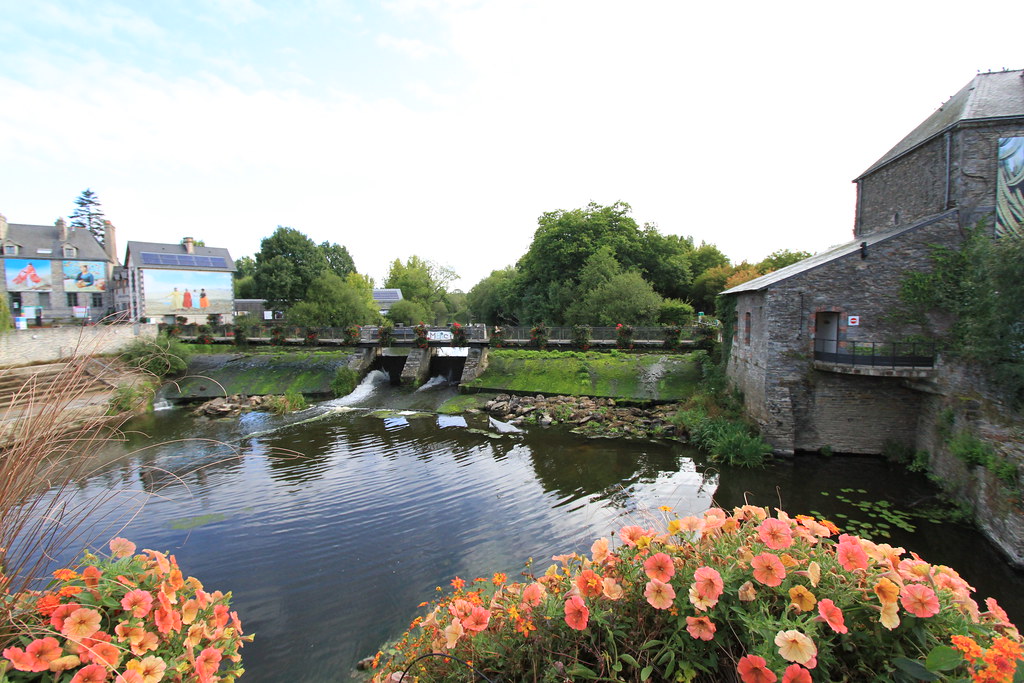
{"x":631,"y":376}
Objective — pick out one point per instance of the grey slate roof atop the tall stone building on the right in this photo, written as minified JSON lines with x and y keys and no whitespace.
{"x":988,"y":97}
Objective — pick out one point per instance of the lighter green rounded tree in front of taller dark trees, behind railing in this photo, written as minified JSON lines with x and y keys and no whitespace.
{"x":333,"y":302}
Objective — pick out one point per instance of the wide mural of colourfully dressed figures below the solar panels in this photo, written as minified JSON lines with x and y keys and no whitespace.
{"x":188,"y":293}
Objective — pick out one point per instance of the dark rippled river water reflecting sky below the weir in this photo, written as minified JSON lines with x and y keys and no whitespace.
{"x":329,"y":552}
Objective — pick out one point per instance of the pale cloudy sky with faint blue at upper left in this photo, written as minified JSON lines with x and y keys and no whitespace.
{"x":446,"y":129}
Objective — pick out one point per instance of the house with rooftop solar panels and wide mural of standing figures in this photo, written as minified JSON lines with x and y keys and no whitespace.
{"x":166,"y":282}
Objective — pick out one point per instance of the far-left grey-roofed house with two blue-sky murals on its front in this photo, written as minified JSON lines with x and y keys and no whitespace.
{"x":56,"y":273}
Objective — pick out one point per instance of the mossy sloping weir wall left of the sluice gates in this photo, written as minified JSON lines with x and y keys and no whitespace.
{"x":309,"y":373}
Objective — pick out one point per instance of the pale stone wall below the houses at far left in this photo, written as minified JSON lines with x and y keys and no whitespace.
{"x":23,"y":348}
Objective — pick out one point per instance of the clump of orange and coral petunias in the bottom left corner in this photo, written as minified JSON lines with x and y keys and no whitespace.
{"x":121,"y":615}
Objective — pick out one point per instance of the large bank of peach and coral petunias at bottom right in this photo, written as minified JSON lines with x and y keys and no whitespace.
{"x":741,"y":596}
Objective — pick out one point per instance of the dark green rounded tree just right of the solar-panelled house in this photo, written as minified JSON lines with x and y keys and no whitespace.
{"x":287,"y":265}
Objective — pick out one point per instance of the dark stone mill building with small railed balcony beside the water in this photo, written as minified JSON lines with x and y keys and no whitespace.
{"x":821,"y":353}
